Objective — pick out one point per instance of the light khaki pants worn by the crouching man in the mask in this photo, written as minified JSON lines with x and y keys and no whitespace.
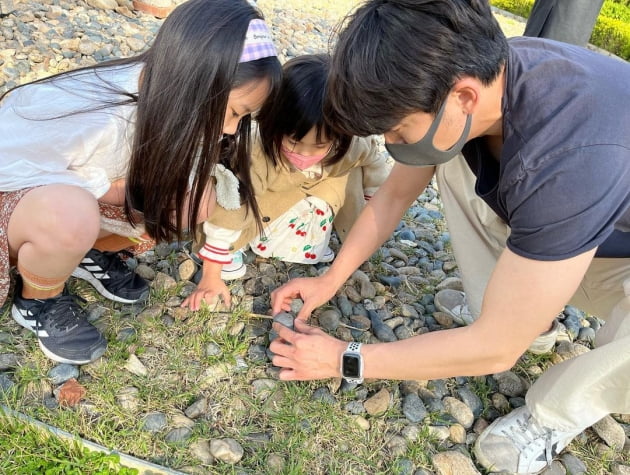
{"x":576,"y":393}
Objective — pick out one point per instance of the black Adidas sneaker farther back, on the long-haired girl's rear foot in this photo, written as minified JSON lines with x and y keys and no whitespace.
{"x":111,"y":277}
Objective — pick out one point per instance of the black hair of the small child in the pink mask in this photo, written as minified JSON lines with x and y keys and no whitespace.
{"x":298,"y":107}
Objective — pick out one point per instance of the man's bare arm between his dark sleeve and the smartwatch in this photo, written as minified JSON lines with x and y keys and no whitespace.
{"x":520,"y":302}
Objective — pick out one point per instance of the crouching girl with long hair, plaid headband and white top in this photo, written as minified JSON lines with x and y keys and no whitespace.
{"x":92,"y":158}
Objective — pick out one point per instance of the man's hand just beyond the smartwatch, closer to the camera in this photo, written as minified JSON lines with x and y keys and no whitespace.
{"x":307,"y":353}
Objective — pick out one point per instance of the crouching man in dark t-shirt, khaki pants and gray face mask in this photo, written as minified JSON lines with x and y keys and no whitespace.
{"x":538,"y":210}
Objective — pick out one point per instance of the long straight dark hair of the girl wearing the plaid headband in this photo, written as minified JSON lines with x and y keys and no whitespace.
{"x":188,"y":73}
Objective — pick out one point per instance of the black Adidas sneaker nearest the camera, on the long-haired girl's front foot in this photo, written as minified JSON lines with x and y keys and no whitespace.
{"x":61,"y":326}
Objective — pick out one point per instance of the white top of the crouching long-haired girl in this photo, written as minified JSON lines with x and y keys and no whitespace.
{"x":89,"y":149}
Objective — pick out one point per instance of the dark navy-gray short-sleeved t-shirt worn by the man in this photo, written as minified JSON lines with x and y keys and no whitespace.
{"x":563,"y":180}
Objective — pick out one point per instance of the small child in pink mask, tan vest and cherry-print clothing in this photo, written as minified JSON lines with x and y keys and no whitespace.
{"x":303,"y":172}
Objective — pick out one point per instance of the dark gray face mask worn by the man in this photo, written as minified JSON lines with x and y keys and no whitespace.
{"x":423,"y":153}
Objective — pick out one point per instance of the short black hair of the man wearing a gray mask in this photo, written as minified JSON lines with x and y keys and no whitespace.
{"x":396,"y":57}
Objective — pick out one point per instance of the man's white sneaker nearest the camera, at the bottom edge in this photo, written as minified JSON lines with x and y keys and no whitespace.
{"x":516,"y":443}
